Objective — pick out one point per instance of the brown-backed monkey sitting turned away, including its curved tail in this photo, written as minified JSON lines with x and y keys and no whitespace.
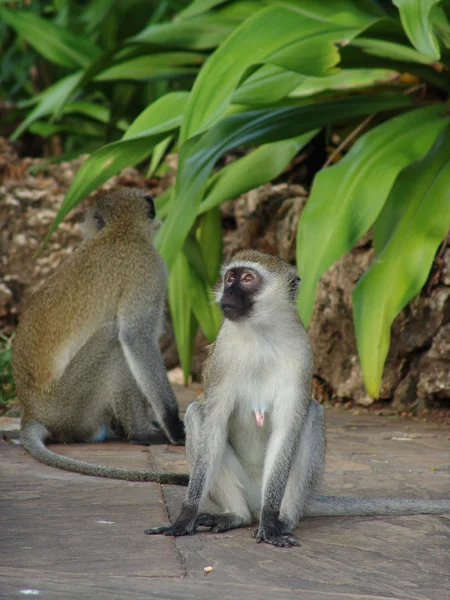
{"x":86,"y":356}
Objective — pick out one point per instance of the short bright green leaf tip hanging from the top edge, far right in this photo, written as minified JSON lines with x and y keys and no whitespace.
{"x":416,"y":20}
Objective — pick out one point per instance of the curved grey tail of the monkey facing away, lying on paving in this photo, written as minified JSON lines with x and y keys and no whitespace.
{"x":33,"y":434}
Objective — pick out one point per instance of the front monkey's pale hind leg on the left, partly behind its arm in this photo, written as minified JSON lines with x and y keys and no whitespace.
{"x":225,"y":506}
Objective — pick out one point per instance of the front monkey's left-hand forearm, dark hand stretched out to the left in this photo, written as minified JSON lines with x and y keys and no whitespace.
{"x":209,"y":457}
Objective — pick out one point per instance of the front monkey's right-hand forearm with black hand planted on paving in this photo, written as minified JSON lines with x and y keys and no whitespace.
{"x":277,"y":467}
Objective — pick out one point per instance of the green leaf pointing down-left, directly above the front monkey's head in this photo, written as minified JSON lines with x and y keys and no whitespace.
{"x":252,"y":170}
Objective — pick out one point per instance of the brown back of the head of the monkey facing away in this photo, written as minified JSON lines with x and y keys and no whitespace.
{"x":131,"y":206}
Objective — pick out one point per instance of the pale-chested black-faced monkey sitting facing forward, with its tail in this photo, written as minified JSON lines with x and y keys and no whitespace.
{"x":256,"y":445}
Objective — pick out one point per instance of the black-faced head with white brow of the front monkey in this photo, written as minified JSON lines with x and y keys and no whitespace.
{"x":255,"y":284}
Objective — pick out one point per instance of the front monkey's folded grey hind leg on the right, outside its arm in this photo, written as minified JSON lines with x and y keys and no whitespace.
{"x":307,"y":470}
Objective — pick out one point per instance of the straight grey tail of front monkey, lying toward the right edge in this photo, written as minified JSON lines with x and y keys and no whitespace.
{"x":340,"y":506}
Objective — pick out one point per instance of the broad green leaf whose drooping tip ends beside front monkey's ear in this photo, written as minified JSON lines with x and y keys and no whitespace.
{"x":346,"y":198}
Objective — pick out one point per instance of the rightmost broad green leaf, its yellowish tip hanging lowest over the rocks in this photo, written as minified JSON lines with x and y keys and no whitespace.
{"x":417,"y":216}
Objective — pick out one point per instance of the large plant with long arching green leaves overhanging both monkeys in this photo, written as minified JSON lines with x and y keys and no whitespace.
{"x":281,"y":71}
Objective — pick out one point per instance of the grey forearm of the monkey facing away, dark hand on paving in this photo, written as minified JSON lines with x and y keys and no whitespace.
{"x":140,"y":347}
